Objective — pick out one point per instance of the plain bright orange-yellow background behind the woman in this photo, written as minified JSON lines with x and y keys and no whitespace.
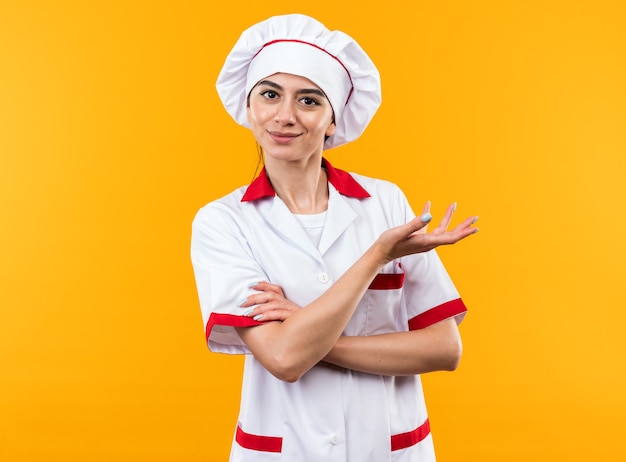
{"x":112,"y":136}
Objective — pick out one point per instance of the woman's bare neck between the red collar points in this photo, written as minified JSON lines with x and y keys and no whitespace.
{"x":302,"y":185}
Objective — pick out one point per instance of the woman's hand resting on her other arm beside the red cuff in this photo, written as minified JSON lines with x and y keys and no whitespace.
{"x":269,"y":304}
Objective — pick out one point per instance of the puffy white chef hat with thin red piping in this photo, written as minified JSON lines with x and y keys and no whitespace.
{"x":300,"y":45}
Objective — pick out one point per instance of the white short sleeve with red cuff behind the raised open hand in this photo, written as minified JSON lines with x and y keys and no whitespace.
{"x":429,"y":295}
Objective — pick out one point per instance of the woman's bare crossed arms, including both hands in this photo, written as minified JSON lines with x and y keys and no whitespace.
{"x":290,"y":348}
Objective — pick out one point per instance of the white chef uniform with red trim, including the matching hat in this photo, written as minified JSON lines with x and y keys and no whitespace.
{"x":330,"y":414}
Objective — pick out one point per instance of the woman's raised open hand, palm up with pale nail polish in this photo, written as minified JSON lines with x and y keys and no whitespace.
{"x":414,"y":237}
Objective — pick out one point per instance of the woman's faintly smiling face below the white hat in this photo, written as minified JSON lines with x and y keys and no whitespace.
{"x":290,"y":116}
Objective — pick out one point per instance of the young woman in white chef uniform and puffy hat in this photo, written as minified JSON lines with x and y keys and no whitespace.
{"x":325,"y":280}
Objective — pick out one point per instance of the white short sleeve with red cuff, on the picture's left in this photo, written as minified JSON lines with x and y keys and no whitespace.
{"x":223,"y":268}
